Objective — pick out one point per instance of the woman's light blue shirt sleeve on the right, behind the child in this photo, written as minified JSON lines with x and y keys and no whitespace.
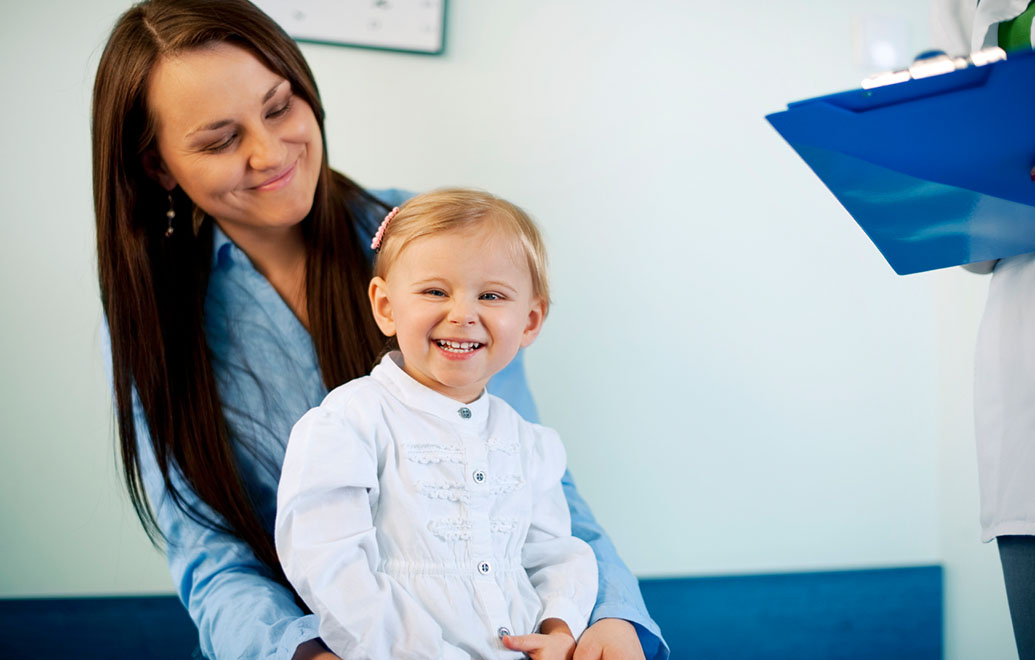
{"x":618,"y":593}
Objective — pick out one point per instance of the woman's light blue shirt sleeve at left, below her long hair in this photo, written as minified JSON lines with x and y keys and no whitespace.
{"x":241,"y":612}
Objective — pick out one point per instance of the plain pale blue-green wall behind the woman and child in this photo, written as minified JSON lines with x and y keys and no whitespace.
{"x":743,"y":382}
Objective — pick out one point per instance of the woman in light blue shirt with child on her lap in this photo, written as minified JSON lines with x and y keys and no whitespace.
{"x":233,"y":276}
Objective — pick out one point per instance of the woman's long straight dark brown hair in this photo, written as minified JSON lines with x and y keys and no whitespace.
{"x":154,"y":287}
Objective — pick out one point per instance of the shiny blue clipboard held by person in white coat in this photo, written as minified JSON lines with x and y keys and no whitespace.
{"x":937,"y":171}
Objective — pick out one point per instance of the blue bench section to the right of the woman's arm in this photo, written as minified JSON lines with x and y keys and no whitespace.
{"x":888,"y":614}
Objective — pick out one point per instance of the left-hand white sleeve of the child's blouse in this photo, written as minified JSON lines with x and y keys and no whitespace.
{"x":328,"y":545}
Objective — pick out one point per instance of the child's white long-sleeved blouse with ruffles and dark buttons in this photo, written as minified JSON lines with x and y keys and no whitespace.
{"x":418,"y":527}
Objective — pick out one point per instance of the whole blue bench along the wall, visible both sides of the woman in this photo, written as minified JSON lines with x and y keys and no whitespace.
{"x":888,"y":614}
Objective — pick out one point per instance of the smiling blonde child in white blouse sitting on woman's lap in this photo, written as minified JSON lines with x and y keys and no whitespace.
{"x":419,"y":516}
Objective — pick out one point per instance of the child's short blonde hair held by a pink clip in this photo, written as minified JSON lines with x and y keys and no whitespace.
{"x":459,"y":209}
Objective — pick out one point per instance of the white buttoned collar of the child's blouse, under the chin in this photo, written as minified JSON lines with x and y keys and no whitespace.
{"x":467,"y":417}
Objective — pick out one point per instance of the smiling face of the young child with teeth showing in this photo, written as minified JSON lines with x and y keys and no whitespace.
{"x":461,"y":306}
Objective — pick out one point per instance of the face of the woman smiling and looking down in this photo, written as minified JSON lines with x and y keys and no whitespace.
{"x":233,"y":135}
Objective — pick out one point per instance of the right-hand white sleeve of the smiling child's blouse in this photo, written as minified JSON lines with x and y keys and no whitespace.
{"x":561,"y":568}
